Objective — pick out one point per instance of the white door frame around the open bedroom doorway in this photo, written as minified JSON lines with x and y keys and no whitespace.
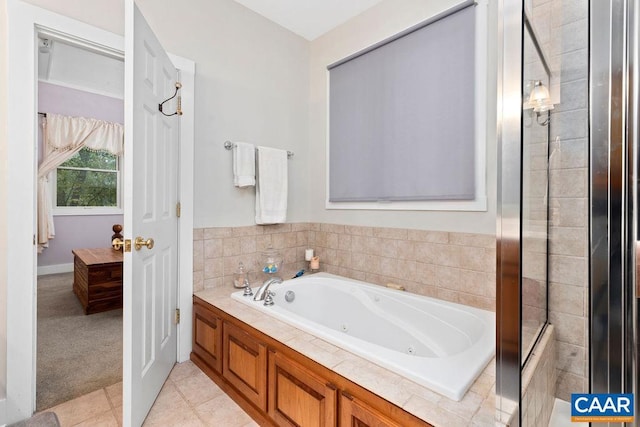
{"x":23,"y":23}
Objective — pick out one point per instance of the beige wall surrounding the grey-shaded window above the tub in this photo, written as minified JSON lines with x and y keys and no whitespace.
{"x":378,"y":23}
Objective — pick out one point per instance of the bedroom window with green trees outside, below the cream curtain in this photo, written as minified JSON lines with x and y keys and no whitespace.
{"x":88,"y":180}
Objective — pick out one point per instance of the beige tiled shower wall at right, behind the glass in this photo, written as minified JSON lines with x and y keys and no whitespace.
{"x":563,"y":31}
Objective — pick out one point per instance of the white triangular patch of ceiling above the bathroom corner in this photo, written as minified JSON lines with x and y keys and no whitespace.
{"x":309,"y":18}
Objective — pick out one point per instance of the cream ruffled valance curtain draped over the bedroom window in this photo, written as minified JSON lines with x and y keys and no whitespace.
{"x":64,"y":136}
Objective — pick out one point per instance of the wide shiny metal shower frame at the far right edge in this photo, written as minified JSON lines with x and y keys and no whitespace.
{"x":613,"y":221}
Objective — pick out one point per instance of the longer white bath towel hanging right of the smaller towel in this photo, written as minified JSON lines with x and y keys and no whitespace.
{"x":271,"y":186}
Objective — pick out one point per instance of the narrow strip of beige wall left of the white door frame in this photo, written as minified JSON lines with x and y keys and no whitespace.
{"x":3,"y":203}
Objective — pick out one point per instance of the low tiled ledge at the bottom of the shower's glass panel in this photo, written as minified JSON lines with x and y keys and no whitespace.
{"x":539,"y":382}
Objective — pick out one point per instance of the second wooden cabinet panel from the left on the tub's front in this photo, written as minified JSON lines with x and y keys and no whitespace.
{"x":244,"y":364}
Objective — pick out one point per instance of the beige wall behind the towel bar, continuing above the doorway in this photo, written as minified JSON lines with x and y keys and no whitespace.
{"x":251,"y":85}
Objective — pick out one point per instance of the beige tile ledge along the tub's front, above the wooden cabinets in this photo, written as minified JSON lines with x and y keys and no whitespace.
{"x":477,"y":408}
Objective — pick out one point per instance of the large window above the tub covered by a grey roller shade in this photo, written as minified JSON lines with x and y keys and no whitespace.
{"x":407,"y":121}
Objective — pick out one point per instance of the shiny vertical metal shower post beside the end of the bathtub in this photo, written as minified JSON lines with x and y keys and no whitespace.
{"x":508,"y":223}
